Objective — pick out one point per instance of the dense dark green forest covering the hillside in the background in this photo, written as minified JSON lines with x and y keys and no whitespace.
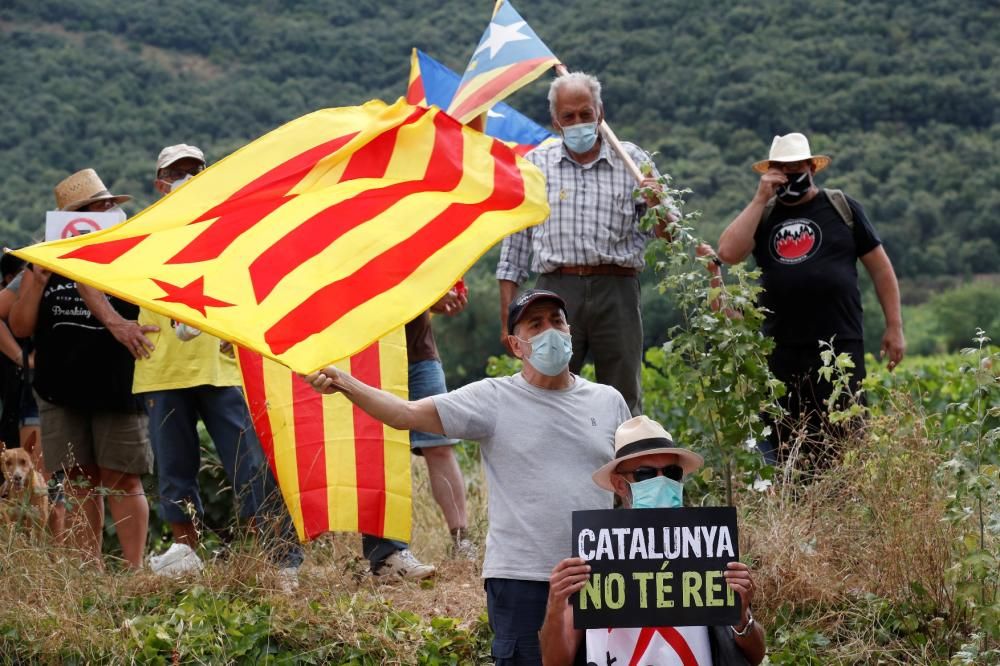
{"x":903,"y":95}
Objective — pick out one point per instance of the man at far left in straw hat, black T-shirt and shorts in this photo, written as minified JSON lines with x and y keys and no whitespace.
{"x":92,"y":428}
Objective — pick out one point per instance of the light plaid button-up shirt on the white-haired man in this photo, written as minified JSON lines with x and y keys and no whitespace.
{"x":593,"y":219}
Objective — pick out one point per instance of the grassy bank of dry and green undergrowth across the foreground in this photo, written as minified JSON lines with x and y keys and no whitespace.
{"x":881,"y":559}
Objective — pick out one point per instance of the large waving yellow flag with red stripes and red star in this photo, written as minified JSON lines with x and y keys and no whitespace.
{"x":318,"y":238}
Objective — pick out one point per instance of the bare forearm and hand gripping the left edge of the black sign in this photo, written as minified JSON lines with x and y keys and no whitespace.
{"x":559,"y":640}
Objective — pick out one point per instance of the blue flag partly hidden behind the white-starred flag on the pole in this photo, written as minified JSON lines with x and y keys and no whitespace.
{"x":432,"y":83}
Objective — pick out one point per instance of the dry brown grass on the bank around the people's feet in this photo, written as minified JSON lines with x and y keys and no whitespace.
{"x":826,"y":554}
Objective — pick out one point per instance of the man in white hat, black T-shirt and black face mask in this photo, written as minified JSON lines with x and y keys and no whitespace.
{"x":807,"y":242}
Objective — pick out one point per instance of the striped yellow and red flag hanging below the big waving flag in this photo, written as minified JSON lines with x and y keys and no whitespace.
{"x":338,"y":468}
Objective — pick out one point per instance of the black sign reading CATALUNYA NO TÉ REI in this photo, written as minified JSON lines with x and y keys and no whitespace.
{"x":656,"y":567}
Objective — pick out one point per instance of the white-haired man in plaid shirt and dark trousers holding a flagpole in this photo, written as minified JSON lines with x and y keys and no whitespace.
{"x":590,"y":250}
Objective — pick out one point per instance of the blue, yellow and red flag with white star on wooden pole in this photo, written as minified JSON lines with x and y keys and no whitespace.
{"x":509,"y":56}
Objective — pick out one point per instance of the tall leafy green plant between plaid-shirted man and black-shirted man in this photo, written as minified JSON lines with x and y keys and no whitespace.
{"x":710,"y":380}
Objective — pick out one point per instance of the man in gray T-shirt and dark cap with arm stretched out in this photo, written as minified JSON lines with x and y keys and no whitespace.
{"x":542,"y":433}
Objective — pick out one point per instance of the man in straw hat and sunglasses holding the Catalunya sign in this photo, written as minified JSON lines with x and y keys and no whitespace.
{"x":647,"y":472}
